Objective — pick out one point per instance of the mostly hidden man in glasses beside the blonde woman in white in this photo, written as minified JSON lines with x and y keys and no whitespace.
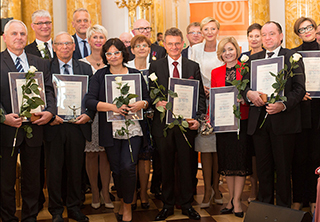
{"x":194,"y":37}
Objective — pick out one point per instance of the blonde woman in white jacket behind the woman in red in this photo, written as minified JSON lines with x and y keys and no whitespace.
{"x":205,"y":54}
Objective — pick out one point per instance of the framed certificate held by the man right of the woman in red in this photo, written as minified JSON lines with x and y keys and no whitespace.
{"x":261,"y":79}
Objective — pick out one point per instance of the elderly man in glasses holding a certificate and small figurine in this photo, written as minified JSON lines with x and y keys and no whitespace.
{"x":65,"y":142}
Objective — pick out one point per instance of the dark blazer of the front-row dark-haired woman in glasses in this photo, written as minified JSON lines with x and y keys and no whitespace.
{"x":97,"y":93}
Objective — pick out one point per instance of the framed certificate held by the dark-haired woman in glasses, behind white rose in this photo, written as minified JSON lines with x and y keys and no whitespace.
{"x":134,"y":81}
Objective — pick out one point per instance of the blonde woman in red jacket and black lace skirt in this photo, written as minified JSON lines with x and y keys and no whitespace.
{"x":233,"y":157}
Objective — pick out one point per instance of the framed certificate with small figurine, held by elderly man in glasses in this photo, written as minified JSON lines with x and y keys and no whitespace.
{"x":70,"y":91}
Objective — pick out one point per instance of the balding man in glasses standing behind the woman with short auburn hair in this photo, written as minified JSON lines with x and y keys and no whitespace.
{"x":142,"y":27}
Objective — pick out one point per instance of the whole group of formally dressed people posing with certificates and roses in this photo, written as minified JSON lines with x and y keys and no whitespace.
{"x":287,"y":143}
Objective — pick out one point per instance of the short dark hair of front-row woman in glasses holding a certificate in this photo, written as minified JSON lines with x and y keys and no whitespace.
{"x":116,"y":42}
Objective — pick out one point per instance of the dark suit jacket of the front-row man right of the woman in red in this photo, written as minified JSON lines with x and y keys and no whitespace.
{"x":288,"y":121}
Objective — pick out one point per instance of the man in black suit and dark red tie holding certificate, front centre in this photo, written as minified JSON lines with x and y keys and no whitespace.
{"x":174,"y":65}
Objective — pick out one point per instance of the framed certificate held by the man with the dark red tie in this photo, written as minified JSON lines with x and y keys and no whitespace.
{"x":186,"y":104}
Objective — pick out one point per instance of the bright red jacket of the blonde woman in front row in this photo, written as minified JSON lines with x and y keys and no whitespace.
{"x":218,"y":79}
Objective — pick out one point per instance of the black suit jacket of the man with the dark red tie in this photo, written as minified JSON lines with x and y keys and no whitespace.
{"x":190,"y":70}
